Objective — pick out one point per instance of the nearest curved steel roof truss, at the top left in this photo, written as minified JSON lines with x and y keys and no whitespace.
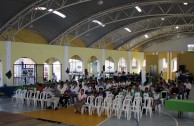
{"x":30,"y":15}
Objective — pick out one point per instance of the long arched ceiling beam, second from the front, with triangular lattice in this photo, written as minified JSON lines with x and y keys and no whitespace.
{"x":121,"y":10}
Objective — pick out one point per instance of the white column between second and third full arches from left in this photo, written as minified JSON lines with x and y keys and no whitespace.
{"x":66,"y":62}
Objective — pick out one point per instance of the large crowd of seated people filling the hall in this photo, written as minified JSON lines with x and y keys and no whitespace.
{"x":75,"y":92}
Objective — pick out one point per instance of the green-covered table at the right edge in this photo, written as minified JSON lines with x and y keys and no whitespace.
{"x":180,"y":106}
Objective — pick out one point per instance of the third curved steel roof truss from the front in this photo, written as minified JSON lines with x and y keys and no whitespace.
{"x":149,"y":24}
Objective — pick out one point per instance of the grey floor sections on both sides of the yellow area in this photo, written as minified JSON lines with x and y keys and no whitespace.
{"x":165,"y":118}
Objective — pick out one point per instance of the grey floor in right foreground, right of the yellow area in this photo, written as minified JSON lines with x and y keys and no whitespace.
{"x":165,"y":118}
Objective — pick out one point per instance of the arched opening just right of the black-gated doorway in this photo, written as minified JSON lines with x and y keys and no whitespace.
{"x":52,"y":70}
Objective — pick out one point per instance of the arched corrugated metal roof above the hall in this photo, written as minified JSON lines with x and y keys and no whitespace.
{"x":116,"y":14}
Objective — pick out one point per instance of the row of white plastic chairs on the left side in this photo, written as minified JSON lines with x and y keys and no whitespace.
{"x":31,"y":98}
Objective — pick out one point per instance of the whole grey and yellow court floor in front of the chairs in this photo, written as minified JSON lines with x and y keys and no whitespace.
{"x":165,"y":118}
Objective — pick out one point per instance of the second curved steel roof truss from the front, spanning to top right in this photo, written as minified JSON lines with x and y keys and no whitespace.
{"x":127,"y":12}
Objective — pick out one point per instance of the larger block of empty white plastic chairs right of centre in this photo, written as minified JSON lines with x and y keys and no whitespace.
{"x":119,"y":105}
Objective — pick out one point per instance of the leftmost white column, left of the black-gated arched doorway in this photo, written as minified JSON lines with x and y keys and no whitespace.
{"x":8,"y":61}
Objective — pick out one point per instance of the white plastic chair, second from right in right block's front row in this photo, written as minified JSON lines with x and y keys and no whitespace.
{"x":136,"y":107}
